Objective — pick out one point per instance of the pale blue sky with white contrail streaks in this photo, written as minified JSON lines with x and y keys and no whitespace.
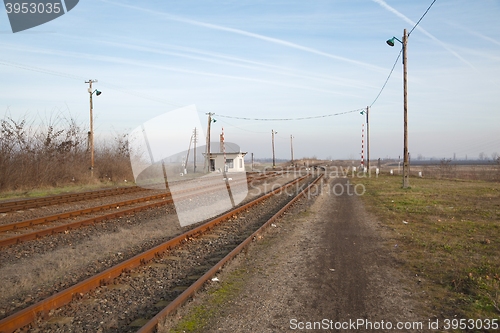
{"x":252,"y":62}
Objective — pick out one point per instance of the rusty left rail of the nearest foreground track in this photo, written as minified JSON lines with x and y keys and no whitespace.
{"x":29,"y":314}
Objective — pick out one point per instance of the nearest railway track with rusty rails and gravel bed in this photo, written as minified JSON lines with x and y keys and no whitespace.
{"x":172,"y":262}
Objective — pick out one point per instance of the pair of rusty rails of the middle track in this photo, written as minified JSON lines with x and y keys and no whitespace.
{"x":73,"y":225}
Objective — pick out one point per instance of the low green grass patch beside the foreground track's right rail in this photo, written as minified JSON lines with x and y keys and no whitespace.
{"x":201,"y":315}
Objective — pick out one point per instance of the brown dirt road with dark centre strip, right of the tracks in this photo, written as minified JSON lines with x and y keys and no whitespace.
{"x":323,"y":269}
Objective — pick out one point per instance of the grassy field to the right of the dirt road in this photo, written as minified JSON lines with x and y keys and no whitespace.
{"x":447,"y":233}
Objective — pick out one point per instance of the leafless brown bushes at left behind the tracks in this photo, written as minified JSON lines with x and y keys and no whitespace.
{"x":55,"y":153}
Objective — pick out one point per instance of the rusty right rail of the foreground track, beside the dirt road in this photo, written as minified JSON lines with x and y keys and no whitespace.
{"x":150,"y":326}
